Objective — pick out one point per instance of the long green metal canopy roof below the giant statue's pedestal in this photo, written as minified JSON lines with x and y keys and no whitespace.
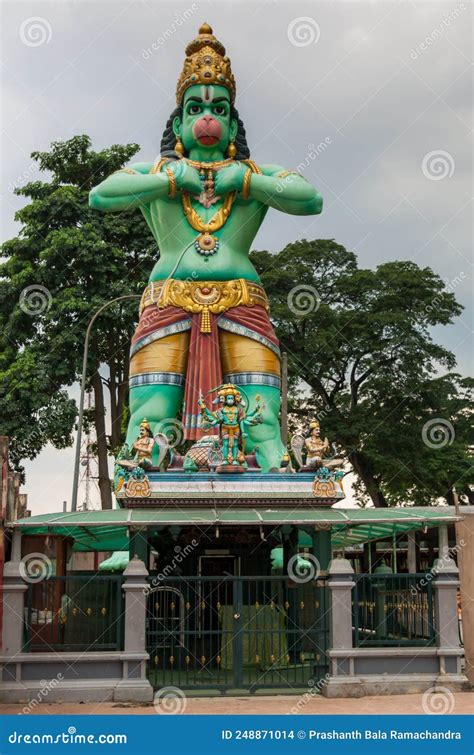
{"x":108,"y":530}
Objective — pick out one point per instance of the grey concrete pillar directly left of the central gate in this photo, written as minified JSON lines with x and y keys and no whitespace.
{"x":135,"y":588}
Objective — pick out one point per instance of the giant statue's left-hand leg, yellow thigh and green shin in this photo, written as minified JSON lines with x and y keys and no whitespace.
{"x":157,"y":378}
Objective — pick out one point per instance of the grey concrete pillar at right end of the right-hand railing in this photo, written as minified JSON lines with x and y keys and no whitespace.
{"x":446,"y":585}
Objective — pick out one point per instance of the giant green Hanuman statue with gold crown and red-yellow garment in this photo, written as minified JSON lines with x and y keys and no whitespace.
{"x":204,"y":316}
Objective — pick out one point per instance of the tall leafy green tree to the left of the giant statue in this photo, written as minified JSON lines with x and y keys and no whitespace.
{"x":65,"y":262}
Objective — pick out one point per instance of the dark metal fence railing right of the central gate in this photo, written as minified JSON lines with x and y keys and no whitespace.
{"x":393,"y":609}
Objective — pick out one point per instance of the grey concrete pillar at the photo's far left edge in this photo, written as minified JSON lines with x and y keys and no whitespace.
{"x":14,"y":589}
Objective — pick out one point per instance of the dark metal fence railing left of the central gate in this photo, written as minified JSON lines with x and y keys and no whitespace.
{"x":76,"y":613}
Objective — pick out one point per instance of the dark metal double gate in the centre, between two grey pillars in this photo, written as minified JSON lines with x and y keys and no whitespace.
{"x":240,"y":633}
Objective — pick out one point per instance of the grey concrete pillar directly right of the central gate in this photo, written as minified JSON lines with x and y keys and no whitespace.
{"x":340,"y":606}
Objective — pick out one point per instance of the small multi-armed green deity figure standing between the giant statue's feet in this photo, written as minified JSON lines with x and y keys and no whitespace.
{"x":231,"y":418}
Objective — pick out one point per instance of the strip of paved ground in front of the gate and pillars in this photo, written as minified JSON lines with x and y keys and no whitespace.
{"x":462,"y":703}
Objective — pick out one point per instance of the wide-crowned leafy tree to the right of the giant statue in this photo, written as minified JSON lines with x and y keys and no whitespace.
{"x":360,"y":341}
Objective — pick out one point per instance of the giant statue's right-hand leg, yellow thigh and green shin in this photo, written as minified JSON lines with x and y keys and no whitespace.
{"x":256,"y":368}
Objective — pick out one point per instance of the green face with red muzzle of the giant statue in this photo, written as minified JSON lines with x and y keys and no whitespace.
{"x":206,"y":123}
